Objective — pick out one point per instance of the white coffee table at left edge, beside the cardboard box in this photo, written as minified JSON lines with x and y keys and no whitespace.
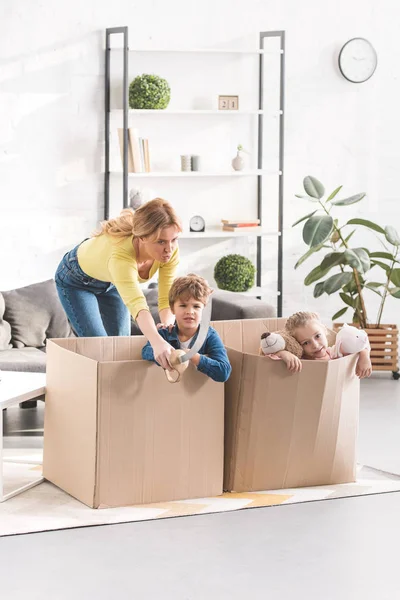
{"x":16,"y":387}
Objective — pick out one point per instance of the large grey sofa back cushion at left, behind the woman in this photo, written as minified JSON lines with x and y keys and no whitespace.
{"x":35,"y":313}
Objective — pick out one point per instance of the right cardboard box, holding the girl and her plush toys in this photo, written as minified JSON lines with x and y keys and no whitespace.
{"x":284,"y":430}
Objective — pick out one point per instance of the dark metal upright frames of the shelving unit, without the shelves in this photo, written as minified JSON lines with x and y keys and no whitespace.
{"x":260,"y":116}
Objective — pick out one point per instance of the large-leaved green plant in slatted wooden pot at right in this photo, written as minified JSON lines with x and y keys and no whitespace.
{"x":351,"y":272}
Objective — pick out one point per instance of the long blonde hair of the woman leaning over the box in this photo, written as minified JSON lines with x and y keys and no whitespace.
{"x":145,"y":221}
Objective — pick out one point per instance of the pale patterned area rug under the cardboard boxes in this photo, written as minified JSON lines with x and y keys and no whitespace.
{"x":46,"y":507}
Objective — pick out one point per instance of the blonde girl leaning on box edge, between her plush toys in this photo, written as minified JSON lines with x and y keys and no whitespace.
{"x":308,"y":330}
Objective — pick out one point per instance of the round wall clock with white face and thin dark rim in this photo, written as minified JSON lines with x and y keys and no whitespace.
{"x":357,"y":60}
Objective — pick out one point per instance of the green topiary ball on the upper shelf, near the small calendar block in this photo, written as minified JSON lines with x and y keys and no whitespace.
{"x":149,"y":91}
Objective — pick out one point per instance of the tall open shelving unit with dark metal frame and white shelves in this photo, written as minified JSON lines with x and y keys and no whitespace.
{"x":259,"y":172}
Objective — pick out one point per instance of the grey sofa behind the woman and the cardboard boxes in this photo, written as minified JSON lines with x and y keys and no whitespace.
{"x":32,"y":314}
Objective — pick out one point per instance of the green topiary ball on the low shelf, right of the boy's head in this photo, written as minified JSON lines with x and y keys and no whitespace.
{"x":235,"y":273}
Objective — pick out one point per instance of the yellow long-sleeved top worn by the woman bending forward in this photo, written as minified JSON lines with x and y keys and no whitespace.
{"x":112,"y":259}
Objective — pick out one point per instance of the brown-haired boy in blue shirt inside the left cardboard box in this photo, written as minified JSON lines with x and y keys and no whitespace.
{"x":187,"y":298}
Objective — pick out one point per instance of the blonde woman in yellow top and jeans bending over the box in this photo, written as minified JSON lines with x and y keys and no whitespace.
{"x":98,"y":281}
